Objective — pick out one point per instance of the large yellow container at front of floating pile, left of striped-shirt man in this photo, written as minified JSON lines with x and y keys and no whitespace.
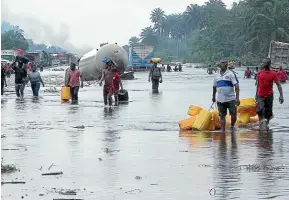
{"x":202,"y":120}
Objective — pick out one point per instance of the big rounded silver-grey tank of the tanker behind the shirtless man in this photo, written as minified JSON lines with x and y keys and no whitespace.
{"x":91,"y":65}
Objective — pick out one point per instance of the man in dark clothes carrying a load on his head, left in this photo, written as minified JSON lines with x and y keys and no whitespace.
{"x":20,"y":78}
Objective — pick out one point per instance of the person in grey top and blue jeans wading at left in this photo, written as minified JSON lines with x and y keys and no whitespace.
{"x":35,"y":80}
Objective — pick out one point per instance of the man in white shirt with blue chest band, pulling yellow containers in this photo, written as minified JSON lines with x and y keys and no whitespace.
{"x":227,"y":97}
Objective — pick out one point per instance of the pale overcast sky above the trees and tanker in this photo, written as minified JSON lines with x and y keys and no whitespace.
{"x":86,"y":23}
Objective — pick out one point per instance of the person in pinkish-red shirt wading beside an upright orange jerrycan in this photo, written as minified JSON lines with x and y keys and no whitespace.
{"x":73,"y":82}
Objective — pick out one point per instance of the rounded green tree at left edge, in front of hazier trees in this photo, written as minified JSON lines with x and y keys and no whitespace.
{"x":14,"y":39}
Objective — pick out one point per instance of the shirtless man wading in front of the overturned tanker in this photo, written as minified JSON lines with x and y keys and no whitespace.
{"x":107,"y":77}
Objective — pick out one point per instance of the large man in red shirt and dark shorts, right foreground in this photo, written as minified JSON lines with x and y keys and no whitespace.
{"x":265,"y":96}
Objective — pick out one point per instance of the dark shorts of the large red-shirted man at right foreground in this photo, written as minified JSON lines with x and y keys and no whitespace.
{"x":265,"y":106}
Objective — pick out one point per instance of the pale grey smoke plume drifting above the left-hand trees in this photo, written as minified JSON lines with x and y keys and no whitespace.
{"x":41,"y":32}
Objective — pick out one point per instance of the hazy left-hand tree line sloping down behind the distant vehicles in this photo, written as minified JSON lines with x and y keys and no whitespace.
{"x":14,"y":37}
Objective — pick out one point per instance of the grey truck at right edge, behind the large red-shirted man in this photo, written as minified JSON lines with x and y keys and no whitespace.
{"x":279,"y":55}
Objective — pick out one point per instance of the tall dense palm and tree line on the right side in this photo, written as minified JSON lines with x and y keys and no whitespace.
{"x":212,"y":32}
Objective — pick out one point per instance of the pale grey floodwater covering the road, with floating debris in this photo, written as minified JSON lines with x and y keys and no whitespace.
{"x":135,"y":151}
